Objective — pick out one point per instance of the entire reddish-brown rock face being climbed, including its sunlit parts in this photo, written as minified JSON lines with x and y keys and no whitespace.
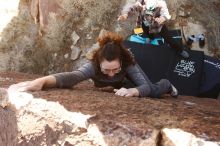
{"x":89,"y":116}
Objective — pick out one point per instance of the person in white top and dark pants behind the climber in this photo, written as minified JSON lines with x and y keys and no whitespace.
{"x":152,"y":17}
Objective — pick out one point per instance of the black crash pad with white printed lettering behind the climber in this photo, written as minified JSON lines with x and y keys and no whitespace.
{"x":163,"y":62}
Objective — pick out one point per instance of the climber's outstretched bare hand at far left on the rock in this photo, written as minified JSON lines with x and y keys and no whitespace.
{"x":34,"y":85}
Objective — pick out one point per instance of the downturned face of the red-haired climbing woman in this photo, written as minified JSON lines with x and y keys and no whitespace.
{"x":110,"y":68}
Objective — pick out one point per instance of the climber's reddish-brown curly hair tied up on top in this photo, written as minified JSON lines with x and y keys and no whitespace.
{"x":111,"y":48}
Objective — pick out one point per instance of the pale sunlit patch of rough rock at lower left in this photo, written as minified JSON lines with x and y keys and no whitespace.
{"x":48,"y":123}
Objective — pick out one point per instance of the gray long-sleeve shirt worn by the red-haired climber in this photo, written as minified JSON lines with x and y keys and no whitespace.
{"x":87,"y":71}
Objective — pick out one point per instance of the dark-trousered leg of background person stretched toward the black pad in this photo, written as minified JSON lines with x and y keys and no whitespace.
{"x":169,"y":39}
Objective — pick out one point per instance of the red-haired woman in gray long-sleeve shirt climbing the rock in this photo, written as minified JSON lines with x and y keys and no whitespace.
{"x":110,"y":65}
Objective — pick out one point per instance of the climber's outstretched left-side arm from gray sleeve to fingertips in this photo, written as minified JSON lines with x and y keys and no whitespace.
{"x":61,"y":80}
